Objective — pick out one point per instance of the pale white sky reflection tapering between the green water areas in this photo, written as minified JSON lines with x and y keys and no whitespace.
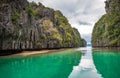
{"x":86,"y":68}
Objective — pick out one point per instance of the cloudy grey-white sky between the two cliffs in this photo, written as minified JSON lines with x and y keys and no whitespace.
{"x":82,"y":14}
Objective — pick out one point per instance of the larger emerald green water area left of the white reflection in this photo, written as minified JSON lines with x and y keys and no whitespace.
{"x":53,"y":65}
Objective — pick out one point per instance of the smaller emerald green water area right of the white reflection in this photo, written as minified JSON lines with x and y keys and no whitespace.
{"x":107,"y":63}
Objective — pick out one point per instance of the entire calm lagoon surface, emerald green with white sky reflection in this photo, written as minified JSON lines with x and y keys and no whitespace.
{"x":72,"y":63}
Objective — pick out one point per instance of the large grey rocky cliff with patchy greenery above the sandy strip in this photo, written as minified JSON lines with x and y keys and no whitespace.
{"x":25,"y":25}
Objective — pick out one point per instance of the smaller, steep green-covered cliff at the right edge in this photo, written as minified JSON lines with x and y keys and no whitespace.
{"x":107,"y":30}
